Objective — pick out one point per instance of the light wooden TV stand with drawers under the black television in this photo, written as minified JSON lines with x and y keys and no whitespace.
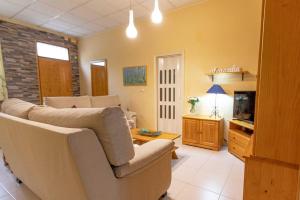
{"x":240,"y":138}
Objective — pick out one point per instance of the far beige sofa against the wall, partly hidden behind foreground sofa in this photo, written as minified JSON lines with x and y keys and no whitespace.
{"x":90,"y":102}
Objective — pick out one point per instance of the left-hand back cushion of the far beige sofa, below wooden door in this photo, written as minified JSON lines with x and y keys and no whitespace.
{"x":68,"y":102}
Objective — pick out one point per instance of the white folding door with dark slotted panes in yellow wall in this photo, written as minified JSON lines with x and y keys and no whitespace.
{"x":169,"y":93}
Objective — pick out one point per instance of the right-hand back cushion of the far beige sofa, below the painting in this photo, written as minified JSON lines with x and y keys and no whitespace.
{"x":105,"y":101}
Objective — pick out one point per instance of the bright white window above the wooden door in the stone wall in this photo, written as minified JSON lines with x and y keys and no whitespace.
{"x":51,"y":51}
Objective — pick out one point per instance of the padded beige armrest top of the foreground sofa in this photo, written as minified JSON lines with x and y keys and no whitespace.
{"x":145,"y":155}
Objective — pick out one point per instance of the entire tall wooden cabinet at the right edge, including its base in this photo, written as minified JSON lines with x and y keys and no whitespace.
{"x":272,"y":173}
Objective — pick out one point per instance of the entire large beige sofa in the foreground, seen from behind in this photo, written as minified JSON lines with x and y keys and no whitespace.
{"x":93,"y":158}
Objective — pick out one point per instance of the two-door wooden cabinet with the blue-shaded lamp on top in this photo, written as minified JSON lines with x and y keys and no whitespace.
{"x":203,"y":131}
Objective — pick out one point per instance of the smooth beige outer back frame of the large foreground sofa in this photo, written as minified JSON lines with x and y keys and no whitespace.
{"x":52,"y":161}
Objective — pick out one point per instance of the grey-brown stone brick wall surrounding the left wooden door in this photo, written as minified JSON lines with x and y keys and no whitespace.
{"x":20,"y":59}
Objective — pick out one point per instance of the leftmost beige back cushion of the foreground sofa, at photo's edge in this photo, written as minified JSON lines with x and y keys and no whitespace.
{"x":17,"y":108}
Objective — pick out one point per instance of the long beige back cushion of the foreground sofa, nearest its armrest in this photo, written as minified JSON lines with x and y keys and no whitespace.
{"x":109,"y":124}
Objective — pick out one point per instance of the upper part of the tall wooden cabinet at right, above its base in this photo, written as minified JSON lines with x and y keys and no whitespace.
{"x":277,"y":124}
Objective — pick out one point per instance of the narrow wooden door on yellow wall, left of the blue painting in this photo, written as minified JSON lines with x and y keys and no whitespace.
{"x":99,"y":80}
